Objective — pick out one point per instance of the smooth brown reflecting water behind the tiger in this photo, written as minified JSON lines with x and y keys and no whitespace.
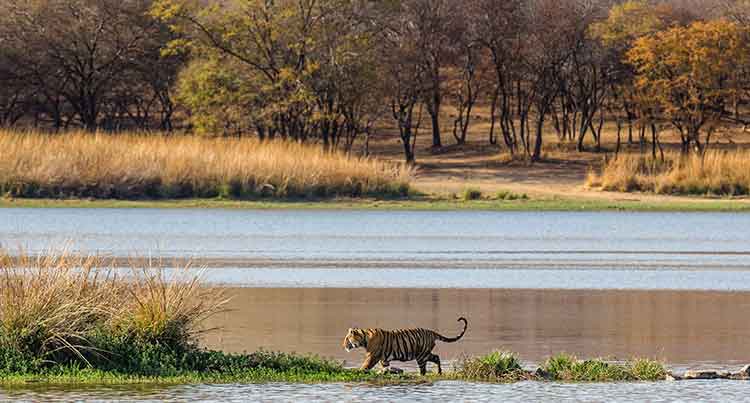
{"x":684,"y":328}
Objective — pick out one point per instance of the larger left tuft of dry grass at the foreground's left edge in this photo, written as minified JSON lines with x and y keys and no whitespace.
{"x":48,"y":305}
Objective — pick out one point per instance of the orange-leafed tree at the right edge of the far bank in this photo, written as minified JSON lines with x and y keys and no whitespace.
{"x":690,"y":73}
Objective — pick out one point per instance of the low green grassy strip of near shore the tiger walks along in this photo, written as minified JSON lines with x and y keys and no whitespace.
{"x":561,"y":368}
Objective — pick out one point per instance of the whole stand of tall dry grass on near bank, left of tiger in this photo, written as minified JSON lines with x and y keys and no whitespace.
{"x":58,"y":308}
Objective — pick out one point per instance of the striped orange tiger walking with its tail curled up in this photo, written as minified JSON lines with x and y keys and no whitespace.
{"x":384,"y":346}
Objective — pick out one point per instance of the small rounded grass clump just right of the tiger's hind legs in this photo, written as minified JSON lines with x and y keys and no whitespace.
{"x":499,"y":366}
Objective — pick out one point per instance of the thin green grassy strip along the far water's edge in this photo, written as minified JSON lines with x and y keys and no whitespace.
{"x":427,"y":203}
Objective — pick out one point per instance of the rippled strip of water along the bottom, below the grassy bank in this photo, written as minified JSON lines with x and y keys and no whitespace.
{"x":709,"y":391}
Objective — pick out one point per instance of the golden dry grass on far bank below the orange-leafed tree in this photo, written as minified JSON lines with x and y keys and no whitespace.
{"x":717,"y":173}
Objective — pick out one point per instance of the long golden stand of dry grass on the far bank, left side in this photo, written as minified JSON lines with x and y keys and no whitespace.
{"x":127,"y":166}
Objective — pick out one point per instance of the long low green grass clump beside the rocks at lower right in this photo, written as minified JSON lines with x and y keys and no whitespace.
{"x":565,"y":367}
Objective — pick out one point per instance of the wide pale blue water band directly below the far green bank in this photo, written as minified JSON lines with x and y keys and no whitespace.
{"x":395,"y":239}
